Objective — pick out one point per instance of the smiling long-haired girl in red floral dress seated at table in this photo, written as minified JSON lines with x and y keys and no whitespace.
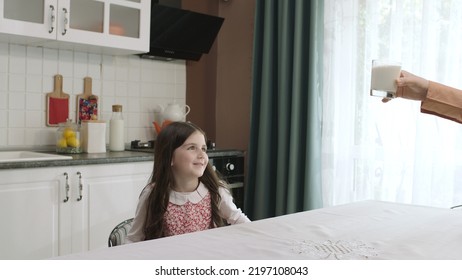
{"x":185,"y":194}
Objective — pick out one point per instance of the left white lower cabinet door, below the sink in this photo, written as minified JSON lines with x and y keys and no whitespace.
{"x":30,"y":214}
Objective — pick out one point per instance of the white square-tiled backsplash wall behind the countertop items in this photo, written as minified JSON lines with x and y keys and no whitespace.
{"x":26,"y":75}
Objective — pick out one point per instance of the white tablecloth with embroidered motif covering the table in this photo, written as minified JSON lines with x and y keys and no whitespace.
{"x":361,"y":230}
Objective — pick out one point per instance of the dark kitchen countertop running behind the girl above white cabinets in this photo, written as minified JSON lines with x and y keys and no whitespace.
{"x":103,"y":158}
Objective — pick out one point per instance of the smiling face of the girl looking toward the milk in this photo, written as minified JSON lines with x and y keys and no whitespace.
{"x":190,"y":159}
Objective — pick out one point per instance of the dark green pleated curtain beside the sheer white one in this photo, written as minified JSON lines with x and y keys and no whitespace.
{"x":284,"y":157}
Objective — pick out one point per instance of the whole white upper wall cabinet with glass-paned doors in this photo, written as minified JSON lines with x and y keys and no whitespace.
{"x":99,"y":26}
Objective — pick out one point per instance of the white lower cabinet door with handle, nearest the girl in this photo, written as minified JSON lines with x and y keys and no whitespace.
{"x":101,"y":196}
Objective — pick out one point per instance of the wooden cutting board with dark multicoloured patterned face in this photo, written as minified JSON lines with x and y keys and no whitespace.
{"x":87,"y":103}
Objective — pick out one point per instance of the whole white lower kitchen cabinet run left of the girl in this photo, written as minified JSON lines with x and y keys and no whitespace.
{"x":49,"y":212}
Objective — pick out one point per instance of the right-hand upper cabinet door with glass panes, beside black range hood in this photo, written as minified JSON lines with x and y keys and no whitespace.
{"x":117,"y":24}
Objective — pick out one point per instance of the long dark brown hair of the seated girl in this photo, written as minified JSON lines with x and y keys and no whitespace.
{"x":170,"y":138}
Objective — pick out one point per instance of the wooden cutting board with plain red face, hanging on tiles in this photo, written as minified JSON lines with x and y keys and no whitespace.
{"x":57,"y":103}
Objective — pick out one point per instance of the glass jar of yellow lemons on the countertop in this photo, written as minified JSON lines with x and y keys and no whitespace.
{"x":68,"y":138}
